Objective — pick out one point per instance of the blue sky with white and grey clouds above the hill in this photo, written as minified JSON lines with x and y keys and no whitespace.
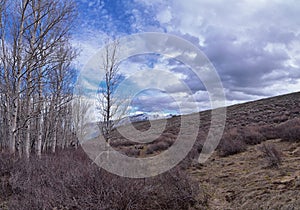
{"x":254,"y":46}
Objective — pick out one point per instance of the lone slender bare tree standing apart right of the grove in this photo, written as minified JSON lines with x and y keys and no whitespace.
{"x":111,"y":107}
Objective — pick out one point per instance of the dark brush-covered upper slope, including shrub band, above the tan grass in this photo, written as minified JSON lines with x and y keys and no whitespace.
{"x":247,"y":124}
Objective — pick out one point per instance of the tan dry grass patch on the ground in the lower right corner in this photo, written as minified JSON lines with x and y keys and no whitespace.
{"x":243,"y":181}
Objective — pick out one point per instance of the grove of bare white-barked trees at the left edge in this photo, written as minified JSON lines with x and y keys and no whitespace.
{"x":36,"y":75}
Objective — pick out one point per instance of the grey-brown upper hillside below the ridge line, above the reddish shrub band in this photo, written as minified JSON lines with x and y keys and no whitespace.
{"x":256,"y":116}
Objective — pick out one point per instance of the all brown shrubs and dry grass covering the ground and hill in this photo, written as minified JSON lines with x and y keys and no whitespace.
{"x":256,"y":166}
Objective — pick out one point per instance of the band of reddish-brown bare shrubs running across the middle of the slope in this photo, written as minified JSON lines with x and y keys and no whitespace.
{"x":234,"y":140}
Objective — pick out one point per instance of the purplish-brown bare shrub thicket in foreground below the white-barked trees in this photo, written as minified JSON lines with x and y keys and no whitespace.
{"x":68,"y":180}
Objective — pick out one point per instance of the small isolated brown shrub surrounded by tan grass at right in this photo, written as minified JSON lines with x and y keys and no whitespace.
{"x":271,"y":154}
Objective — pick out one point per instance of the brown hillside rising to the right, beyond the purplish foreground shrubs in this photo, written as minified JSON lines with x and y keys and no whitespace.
{"x":242,"y":179}
